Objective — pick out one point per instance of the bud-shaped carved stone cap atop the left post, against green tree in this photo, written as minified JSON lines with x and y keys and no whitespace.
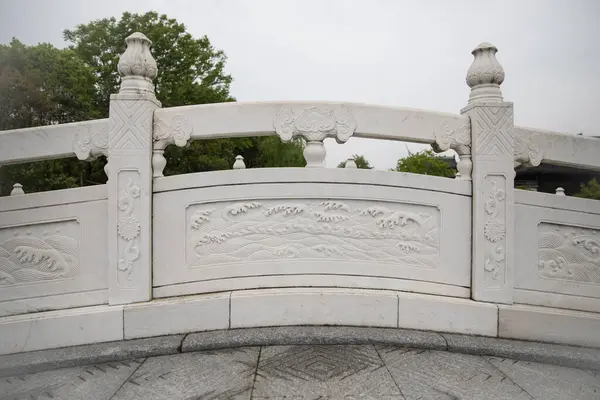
{"x":136,"y":65}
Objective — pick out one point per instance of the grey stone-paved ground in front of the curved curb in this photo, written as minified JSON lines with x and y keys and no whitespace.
{"x":309,"y":372}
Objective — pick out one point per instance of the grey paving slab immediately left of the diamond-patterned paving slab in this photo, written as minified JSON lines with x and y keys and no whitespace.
{"x":221,"y":374}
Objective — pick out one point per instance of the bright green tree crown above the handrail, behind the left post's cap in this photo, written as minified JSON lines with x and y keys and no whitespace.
{"x":191,"y":71}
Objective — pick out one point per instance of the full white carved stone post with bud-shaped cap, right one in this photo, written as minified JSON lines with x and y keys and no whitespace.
{"x":492,"y":152}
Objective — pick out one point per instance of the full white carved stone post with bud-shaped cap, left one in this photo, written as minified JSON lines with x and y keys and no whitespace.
{"x":130,"y":175}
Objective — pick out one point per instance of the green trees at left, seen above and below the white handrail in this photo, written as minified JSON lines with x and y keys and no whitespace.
{"x":43,"y":85}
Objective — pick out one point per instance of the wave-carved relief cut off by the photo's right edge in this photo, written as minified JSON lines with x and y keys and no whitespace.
{"x":568,"y":253}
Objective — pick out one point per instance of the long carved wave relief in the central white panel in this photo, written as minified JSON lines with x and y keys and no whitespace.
{"x":273,"y":230}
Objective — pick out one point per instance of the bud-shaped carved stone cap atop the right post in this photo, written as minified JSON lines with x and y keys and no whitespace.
{"x":485,"y":75}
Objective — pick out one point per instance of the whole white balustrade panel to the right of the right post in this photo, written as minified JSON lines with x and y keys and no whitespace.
{"x":558,"y":248}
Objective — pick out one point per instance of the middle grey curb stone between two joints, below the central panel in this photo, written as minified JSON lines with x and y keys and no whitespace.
{"x":297,"y":335}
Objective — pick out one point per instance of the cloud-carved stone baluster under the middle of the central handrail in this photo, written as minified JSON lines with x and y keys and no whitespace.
{"x":315,"y":125}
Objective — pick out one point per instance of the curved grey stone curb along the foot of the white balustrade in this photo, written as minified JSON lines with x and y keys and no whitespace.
{"x":36,"y":361}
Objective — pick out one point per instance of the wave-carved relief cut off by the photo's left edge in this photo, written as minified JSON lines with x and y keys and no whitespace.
{"x":39,"y":253}
